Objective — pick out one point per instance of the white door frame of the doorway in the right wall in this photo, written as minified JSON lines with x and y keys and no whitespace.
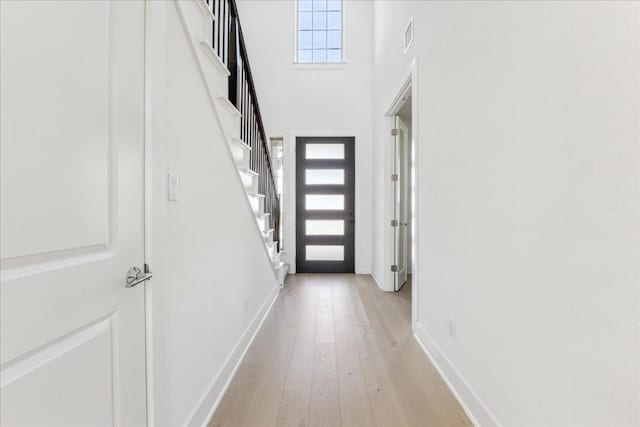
{"x":408,"y":87}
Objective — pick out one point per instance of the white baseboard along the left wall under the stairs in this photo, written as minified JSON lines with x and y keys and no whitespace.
{"x":209,"y":403}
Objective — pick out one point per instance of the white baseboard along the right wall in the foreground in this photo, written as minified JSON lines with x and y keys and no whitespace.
{"x":473,"y":406}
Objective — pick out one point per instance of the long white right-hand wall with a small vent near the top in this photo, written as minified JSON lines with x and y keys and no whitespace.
{"x":528,"y":134}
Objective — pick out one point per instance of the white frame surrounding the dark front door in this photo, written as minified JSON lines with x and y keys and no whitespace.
{"x":361,"y":264}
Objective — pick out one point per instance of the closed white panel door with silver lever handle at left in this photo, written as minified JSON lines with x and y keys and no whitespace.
{"x":72,"y":337}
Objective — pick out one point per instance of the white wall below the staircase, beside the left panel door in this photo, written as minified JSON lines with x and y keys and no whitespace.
{"x":206,"y":250}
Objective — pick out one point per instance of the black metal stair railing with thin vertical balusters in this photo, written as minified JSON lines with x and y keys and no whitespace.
{"x":228,"y":43}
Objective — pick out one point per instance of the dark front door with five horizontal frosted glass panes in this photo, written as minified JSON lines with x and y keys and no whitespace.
{"x":325,"y":204}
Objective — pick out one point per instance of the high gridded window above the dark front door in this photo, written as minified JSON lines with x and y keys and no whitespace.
{"x":319,"y":32}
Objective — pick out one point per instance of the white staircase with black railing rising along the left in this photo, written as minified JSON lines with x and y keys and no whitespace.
{"x":230,"y":82}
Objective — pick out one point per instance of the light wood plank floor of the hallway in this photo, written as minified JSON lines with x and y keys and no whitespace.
{"x":335,"y":350}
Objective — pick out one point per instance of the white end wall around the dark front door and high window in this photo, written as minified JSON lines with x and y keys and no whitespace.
{"x":314,"y":102}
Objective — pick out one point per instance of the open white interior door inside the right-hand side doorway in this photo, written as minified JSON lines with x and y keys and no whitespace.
{"x":401,"y":208}
